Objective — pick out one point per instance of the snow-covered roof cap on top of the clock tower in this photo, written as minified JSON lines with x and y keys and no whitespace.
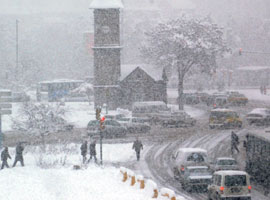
{"x":106,"y":4}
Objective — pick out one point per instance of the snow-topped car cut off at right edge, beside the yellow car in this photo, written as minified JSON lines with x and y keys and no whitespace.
{"x":259,"y":116}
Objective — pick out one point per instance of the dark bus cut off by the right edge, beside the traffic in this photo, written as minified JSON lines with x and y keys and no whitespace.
{"x":258,"y":156}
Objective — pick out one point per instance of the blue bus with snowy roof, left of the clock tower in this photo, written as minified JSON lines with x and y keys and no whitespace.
{"x":55,"y":90}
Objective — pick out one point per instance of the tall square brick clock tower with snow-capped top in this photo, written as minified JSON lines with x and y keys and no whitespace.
{"x":107,"y":63}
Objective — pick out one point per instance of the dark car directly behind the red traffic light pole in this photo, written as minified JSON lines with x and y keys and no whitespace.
{"x":112,"y":129}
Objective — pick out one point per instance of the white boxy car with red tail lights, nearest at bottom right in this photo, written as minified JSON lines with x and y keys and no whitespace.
{"x":230,"y":185}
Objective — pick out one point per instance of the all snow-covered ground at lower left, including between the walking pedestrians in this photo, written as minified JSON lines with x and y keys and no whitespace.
{"x":51,"y":180}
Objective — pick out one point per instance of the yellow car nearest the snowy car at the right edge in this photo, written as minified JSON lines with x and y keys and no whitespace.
{"x":224,"y":118}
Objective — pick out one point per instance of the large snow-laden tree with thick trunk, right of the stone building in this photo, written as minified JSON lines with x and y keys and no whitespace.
{"x":184,"y":44}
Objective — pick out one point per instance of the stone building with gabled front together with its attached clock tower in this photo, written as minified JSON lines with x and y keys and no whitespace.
{"x":111,"y":86}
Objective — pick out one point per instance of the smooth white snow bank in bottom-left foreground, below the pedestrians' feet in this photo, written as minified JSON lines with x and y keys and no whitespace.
{"x":64,"y":184}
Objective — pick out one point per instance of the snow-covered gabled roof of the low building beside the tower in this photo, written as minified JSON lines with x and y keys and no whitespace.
{"x":151,"y":70}
